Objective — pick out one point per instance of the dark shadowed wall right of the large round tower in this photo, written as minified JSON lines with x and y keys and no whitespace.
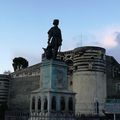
{"x":113,"y":77}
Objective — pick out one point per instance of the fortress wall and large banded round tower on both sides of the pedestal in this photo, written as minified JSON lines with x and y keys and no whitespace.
{"x":86,"y":76}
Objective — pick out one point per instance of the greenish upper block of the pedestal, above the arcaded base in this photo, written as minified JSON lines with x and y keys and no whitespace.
{"x":53,"y":75}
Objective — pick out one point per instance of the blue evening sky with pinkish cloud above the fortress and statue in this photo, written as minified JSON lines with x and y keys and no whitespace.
{"x":24,"y":25}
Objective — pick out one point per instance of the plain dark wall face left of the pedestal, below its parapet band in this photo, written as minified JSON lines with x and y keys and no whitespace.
{"x":20,"y":90}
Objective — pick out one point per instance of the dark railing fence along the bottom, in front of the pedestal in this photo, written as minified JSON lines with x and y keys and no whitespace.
{"x":49,"y":116}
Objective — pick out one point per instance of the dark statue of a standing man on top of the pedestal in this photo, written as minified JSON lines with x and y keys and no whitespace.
{"x":55,"y":38}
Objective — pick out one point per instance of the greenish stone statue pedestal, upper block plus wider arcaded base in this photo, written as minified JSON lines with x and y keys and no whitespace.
{"x":53,"y":94}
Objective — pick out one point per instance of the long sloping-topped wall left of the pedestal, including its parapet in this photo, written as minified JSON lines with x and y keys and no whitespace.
{"x":22,"y":83}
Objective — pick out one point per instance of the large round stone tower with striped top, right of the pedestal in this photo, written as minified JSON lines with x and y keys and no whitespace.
{"x":89,"y":79}
